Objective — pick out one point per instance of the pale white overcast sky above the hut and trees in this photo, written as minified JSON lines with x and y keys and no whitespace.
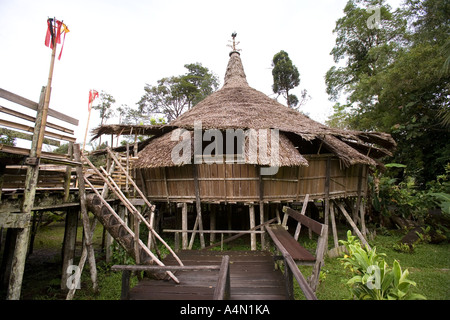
{"x":120,"y":46}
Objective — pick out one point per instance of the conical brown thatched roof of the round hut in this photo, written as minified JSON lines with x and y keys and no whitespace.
{"x":238,"y":106}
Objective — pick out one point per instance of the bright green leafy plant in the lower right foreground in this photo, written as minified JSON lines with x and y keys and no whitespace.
{"x":373,"y":279}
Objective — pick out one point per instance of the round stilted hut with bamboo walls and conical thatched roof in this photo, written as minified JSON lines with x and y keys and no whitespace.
{"x":310,"y":160}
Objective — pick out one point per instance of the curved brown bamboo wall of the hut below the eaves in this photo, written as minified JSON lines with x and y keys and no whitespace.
{"x":242,"y":182}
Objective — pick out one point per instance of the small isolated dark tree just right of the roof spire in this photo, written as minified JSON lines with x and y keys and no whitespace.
{"x":285,"y":77}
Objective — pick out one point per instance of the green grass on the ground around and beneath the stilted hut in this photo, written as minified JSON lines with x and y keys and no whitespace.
{"x":429,"y":267}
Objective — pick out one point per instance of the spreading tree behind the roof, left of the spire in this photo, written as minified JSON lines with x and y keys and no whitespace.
{"x":174,"y":95}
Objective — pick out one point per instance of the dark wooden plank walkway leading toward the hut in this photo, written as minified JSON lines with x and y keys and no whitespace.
{"x":252,"y":277}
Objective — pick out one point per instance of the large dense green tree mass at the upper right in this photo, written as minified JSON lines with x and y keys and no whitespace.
{"x":393,"y":80}
